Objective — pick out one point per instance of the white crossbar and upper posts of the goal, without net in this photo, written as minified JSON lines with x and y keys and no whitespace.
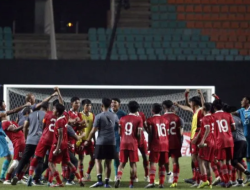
{"x":124,"y":87}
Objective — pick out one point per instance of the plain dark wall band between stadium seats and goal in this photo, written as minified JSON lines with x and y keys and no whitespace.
{"x":231,"y":79}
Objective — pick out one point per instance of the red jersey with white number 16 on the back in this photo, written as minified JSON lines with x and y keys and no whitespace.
{"x":158,"y":141}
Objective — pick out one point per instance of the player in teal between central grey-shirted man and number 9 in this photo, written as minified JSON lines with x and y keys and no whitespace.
{"x":115,"y":108}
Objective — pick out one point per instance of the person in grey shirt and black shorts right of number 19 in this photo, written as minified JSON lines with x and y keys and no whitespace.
{"x":240,"y":147}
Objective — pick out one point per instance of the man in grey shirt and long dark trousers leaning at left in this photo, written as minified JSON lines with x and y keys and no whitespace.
{"x":32,"y":131}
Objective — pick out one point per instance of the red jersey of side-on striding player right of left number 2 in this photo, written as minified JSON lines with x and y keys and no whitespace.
{"x":61,"y":123}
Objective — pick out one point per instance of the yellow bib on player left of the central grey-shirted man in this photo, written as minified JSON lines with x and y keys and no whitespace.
{"x":89,"y":120}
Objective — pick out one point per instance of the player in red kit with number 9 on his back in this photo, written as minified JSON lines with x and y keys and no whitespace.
{"x":130,"y":131}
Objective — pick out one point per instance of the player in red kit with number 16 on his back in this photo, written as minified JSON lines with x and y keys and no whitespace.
{"x":158,"y":145}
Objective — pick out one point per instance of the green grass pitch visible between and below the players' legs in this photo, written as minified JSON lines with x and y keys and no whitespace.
{"x":185,"y":172}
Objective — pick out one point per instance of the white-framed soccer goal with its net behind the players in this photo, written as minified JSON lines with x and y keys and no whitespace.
{"x":14,"y":96}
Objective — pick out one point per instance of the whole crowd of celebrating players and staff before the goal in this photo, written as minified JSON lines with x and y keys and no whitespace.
{"x":45,"y":135}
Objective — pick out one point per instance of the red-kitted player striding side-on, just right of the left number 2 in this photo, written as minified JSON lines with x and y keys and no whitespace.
{"x":59,"y":150}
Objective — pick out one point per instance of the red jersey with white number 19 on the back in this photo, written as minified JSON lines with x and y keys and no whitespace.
{"x":222,"y":128}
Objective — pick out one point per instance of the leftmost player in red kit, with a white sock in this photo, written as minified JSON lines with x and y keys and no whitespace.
{"x":15,"y":134}
